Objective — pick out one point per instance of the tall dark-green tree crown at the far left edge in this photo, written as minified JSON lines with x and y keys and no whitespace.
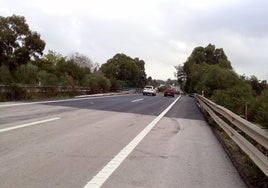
{"x":18,"y":44}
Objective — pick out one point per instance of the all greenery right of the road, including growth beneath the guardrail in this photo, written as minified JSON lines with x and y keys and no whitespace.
{"x":209,"y":72}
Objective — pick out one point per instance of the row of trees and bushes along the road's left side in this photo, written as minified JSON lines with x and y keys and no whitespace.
{"x":22,"y":62}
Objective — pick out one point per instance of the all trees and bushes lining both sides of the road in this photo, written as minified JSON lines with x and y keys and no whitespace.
{"x":208,"y":70}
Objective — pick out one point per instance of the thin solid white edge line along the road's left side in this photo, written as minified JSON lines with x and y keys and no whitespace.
{"x":55,"y":101}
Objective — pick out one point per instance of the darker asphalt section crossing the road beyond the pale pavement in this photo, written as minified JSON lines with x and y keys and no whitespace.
{"x":185,"y":107}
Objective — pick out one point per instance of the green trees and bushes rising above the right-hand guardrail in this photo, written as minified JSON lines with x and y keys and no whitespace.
{"x":209,"y":72}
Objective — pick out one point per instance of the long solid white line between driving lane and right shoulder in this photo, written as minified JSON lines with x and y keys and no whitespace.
{"x":107,"y":170}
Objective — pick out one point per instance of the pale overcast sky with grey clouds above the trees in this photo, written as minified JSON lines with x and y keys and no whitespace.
{"x":163,"y":33}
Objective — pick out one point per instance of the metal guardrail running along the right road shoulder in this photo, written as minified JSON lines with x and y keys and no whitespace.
{"x":254,"y":132}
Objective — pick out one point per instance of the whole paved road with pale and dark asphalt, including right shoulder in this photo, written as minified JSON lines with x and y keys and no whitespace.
{"x":111,"y":141}
